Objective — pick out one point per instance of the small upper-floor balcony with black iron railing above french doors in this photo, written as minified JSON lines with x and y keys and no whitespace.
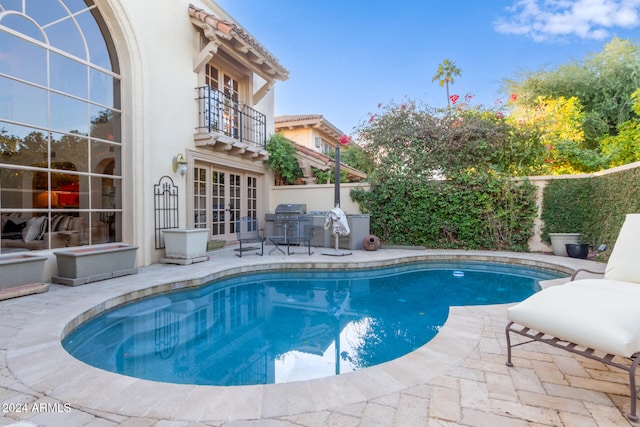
{"x":230,"y":126}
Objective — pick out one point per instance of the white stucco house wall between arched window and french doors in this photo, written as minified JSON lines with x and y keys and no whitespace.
{"x":156,"y":47}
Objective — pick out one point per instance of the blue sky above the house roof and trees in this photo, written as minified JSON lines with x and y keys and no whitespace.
{"x":347,"y":57}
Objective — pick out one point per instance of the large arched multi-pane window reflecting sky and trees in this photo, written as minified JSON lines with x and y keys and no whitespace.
{"x":60,"y":138}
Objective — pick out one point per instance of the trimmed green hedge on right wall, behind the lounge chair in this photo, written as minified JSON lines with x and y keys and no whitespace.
{"x":595,"y":207}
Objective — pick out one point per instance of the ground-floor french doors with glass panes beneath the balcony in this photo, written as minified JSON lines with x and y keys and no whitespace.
{"x":221,"y":196}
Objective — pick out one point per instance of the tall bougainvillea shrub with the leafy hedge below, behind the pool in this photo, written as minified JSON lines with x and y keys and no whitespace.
{"x":441,"y":180}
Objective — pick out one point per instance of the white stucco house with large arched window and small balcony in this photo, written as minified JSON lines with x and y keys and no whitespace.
{"x":102,"y":102}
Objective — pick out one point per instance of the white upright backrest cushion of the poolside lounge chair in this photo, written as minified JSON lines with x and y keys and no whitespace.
{"x":624,"y":262}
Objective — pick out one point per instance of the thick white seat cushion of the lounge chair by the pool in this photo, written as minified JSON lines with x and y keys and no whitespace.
{"x":596,"y":313}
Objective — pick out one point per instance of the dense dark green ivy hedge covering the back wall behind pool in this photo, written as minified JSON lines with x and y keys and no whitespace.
{"x":471,"y":212}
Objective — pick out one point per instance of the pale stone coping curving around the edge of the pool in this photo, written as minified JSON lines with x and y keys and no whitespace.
{"x":36,"y":357}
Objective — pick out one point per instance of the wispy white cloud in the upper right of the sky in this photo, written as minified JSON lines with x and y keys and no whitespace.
{"x":556,"y":19}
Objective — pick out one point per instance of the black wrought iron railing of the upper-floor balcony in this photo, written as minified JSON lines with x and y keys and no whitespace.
{"x":219,"y":113}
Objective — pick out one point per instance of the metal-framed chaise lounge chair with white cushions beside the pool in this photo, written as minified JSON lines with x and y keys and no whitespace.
{"x":596,"y":318}
